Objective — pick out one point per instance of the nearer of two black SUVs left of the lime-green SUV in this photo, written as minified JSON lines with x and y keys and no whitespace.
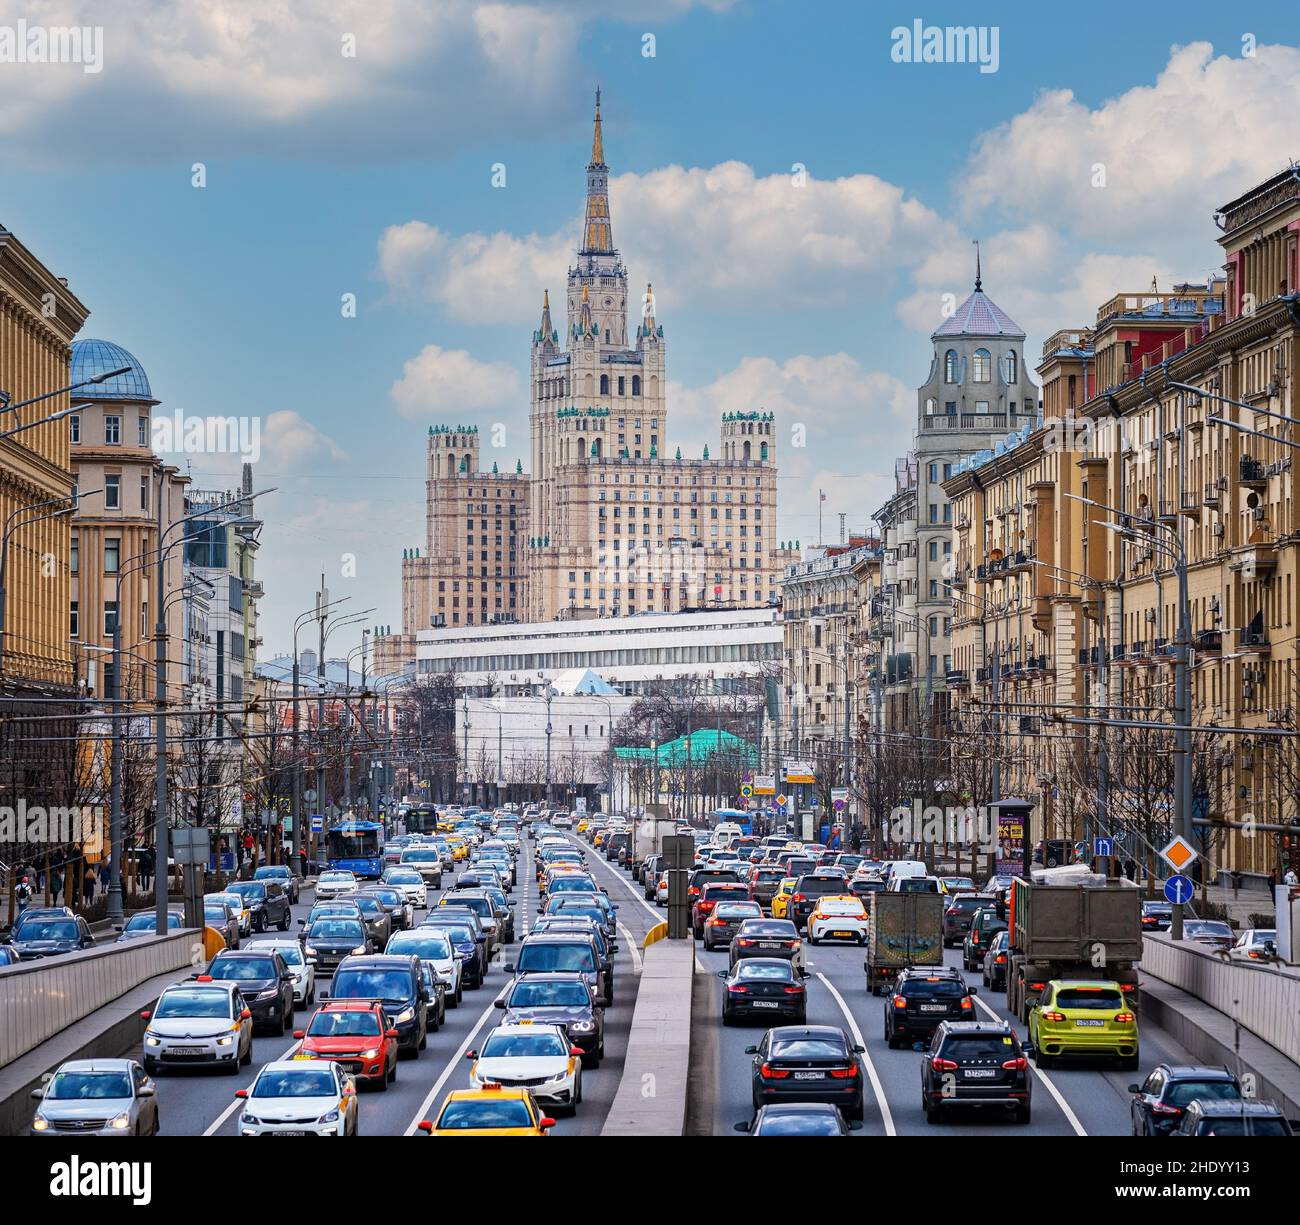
{"x":976,"y":1064}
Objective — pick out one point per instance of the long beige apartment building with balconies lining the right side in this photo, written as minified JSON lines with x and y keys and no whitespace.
{"x":1068,"y":611}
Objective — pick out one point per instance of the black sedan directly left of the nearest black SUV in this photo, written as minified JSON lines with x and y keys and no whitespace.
{"x":808,"y":1063}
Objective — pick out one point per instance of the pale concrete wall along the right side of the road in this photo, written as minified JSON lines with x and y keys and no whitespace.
{"x":1266,"y":999}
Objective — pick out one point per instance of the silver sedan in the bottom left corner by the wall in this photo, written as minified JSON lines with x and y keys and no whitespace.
{"x":97,"y":1097}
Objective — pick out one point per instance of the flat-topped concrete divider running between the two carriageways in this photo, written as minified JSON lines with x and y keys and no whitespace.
{"x":652,"y":1098}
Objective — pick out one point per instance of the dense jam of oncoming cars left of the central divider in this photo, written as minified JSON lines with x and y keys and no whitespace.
{"x":471,"y":977}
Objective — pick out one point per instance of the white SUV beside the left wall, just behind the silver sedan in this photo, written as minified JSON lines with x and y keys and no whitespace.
{"x":198,"y":1024}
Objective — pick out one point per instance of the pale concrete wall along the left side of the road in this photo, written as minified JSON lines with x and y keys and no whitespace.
{"x":38,"y":999}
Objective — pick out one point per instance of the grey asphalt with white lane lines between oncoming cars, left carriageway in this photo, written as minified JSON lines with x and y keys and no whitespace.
{"x":203,"y":1103}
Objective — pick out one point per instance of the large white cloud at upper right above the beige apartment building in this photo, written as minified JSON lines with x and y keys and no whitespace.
{"x":1173,"y":151}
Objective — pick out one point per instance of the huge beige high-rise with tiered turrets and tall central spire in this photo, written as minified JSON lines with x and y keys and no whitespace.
{"x":610,"y":520}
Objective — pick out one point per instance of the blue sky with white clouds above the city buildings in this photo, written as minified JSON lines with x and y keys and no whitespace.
{"x":224,"y":180}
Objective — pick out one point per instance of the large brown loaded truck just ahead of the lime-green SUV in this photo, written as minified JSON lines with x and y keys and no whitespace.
{"x":1071,"y":923}
